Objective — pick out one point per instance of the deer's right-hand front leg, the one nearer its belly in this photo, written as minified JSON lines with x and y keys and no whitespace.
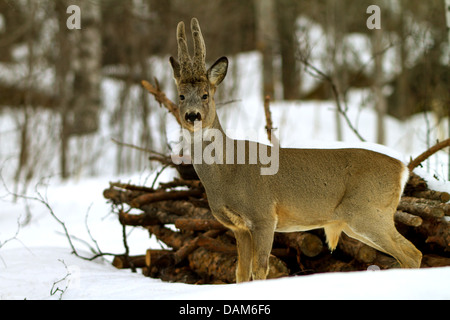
{"x":262,"y":238}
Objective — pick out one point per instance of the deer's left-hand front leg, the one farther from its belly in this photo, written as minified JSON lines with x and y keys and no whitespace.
{"x":245,"y":256}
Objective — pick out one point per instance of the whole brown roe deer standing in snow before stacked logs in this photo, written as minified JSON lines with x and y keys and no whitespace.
{"x":355,"y":191}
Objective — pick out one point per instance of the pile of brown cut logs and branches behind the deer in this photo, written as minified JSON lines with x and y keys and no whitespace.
{"x":200,"y":250}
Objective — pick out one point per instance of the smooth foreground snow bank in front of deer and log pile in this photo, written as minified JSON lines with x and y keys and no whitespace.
{"x":38,"y":273}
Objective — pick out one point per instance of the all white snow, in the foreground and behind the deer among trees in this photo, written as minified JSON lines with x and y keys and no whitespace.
{"x":36,"y":260}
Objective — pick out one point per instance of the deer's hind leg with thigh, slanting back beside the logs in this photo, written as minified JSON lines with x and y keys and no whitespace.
{"x":378,"y":231}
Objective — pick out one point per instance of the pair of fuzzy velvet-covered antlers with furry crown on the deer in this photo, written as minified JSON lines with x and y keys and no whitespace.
{"x":191,"y":69}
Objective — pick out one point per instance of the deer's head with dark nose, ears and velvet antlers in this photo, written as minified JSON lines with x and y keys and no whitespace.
{"x":196,"y":85}
